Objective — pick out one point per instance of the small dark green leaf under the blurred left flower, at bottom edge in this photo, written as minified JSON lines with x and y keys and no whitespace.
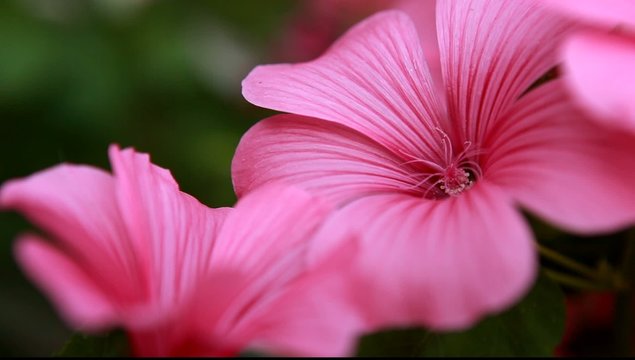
{"x":113,"y":344}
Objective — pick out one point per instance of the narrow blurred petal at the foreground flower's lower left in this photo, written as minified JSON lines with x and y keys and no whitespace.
{"x":82,"y":303}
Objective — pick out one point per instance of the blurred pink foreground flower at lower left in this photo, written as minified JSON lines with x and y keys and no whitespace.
{"x":131,"y":250}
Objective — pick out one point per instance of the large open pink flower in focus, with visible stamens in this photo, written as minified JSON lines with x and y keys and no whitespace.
{"x":433,"y":179}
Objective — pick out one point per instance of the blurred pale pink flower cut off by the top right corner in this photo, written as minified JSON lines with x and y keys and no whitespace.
{"x":598,"y":62}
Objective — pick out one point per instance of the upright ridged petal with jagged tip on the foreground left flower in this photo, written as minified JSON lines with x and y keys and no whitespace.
{"x":172,"y":234}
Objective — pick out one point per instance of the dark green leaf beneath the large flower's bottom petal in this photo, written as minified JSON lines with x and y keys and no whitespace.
{"x":533,"y":327}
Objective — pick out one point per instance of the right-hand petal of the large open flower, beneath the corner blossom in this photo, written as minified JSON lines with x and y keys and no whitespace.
{"x":567,"y":169}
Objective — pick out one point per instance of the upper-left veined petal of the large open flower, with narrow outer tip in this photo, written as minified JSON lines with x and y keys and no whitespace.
{"x":374,"y":80}
